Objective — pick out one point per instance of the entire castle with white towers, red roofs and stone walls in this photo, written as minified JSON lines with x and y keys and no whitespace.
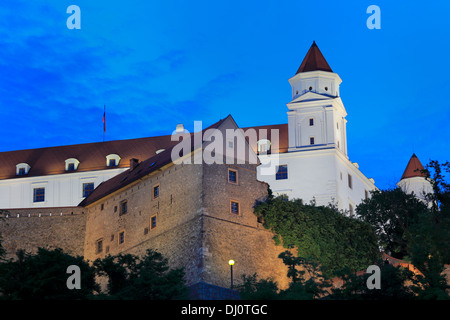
{"x":127,"y":196}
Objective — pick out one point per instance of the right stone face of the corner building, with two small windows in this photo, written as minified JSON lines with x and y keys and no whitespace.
{"x":237,"y":236}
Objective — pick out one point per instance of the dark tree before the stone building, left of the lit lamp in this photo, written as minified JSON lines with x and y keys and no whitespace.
{"x":146,"y":278}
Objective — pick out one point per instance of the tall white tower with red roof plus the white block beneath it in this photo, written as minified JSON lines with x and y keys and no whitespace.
{"x":316,"y":166}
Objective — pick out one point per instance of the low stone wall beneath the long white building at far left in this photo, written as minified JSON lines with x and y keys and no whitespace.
{"x":48,"y":228}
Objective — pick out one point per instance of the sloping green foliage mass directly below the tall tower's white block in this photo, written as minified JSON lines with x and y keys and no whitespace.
{"x":321,"y":234}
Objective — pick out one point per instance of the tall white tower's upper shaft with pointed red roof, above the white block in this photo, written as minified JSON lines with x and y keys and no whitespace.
{"x":316,"y":115}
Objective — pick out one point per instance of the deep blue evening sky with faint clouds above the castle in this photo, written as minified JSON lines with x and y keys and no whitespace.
{"x":158,"y":63}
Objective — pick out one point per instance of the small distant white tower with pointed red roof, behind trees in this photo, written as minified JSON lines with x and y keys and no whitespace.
{"x":414,"y":181}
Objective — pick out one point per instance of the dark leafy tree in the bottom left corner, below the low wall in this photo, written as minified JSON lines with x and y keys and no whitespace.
{"x":44,"y":276}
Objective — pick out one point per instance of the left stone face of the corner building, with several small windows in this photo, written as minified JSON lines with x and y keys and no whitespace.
{"x":177,"y":209}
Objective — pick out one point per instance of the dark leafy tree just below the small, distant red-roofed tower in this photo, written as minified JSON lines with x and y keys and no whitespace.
{"x":391,"y":213}
